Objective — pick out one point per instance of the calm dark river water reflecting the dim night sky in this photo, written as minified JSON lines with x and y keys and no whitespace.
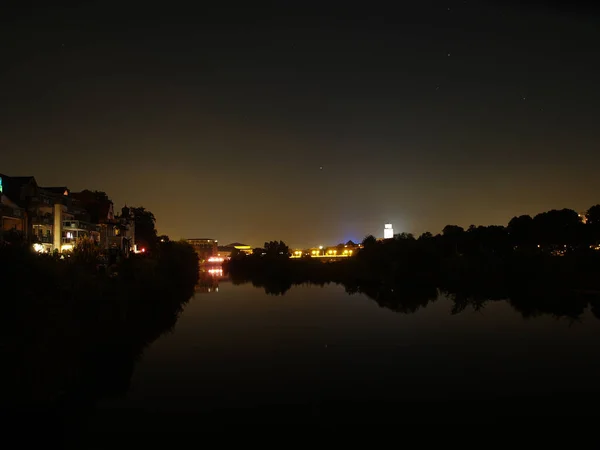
{"x":317,"y":354}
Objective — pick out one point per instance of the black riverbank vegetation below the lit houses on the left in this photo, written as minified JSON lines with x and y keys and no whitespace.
{"x":71,"y":333}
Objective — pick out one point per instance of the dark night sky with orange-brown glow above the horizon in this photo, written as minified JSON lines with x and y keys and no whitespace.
{"x":309,"y":124}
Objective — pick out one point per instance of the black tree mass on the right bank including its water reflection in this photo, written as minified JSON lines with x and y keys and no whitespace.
{"x":546,"y":264}
